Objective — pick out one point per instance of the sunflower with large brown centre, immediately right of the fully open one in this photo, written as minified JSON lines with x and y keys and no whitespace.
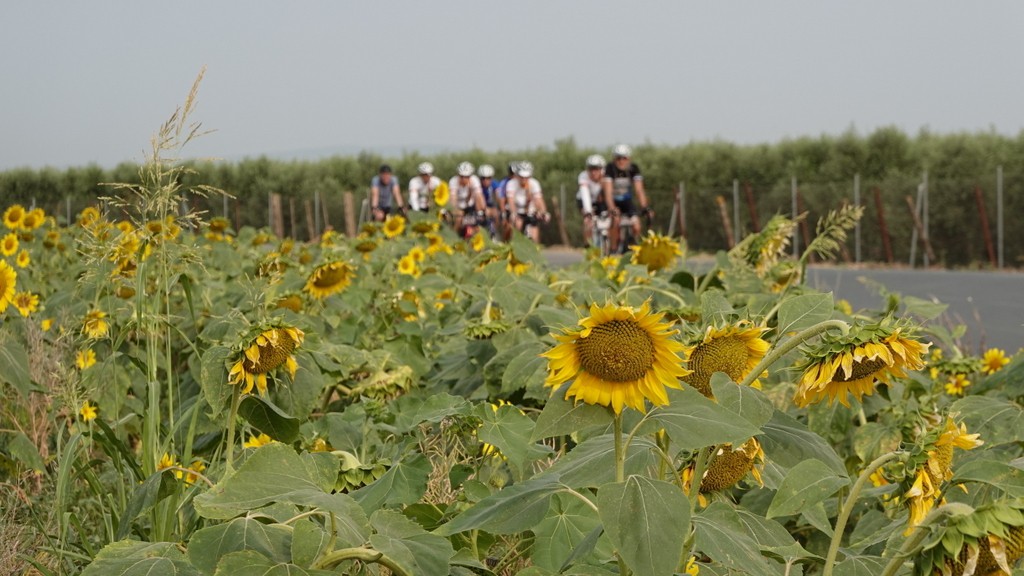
{"x":736,"y":351}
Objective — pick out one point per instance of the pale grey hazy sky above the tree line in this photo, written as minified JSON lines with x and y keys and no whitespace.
{"x":93,"y":81}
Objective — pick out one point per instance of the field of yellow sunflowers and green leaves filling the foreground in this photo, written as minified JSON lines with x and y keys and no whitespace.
{"x":183,"y":398}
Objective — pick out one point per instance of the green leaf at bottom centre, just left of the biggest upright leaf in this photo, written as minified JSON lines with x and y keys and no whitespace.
{"x":564,"y":531}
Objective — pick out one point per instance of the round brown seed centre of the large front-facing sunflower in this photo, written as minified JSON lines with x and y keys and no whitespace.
{"x":620,"y":351}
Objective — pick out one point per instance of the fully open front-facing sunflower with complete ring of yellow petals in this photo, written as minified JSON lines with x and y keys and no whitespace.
{"x":619,"y":357}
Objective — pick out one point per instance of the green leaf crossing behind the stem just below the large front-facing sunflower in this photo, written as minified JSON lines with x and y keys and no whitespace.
{"x":592,"y":464}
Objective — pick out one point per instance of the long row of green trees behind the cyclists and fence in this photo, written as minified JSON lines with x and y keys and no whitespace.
{"x":888,"y":163}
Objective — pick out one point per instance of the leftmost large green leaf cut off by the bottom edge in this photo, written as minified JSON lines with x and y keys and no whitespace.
{"x":132,"y":558}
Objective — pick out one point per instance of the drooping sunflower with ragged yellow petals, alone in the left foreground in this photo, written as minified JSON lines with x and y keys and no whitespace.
{"x":265,"y":354}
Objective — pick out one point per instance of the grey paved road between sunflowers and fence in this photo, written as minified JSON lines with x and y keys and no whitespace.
{"x":990,"y":304}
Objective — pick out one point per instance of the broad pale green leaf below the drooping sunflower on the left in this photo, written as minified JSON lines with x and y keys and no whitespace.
{"x":271,"y":473}
